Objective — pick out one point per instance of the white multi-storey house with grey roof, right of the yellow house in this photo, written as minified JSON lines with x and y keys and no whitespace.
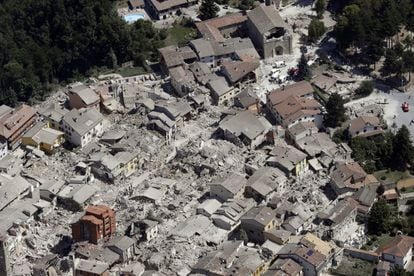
{"x":82,"y":126}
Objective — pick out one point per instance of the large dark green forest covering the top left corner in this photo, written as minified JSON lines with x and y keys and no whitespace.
{"x":50,"y":41}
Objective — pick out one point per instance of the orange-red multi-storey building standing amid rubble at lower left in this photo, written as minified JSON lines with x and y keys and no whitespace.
{"x":98,"y":224}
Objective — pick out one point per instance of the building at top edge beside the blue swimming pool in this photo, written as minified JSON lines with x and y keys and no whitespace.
{"x":162,"y":9}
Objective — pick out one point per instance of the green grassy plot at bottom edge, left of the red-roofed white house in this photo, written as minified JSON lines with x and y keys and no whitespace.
{"x":354,"y":267}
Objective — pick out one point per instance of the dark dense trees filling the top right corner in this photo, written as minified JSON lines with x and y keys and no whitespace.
{"x":367,"y":26}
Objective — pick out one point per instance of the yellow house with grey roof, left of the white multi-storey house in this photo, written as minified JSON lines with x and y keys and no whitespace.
{"x":44,"y":138}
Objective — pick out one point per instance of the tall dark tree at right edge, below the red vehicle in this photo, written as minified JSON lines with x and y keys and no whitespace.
{"x":403,"y":152}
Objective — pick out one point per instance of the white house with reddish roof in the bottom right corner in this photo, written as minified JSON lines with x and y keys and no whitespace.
{"x":398,"y":251}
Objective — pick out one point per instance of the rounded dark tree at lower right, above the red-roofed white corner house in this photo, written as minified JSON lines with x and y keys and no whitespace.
{"x":379,"y":218}
